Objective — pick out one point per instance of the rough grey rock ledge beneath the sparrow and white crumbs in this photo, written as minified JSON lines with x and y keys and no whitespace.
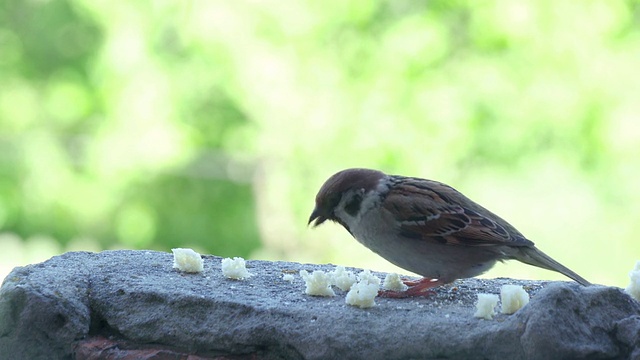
{"x":133,"y":304}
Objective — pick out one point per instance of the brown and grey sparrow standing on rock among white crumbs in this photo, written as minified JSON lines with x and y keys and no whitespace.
{"x":424,"y":226}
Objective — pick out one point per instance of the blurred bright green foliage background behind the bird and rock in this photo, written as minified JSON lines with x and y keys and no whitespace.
{"x":212,"y":124}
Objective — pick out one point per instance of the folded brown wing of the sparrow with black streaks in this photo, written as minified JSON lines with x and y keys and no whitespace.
{"x":432,"y":211}
